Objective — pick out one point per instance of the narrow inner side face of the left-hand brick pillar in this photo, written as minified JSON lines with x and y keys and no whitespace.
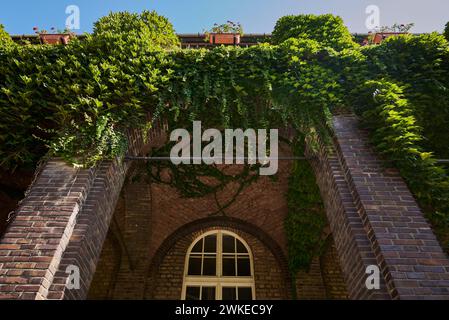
{"x":89,"y":233}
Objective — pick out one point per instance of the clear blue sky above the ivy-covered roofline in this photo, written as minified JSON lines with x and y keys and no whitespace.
{"x":257,"y":16}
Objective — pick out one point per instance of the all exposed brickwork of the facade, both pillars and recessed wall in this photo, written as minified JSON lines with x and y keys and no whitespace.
{"x":130,"y":239}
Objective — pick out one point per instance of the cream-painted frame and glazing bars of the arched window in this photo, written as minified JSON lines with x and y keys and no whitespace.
{"x":219,"y":281}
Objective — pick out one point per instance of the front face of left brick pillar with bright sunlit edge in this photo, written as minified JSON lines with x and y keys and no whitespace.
{"x":33,"y":245}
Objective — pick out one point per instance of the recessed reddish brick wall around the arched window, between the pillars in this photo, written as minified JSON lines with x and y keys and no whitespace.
{"x":158,"y":226}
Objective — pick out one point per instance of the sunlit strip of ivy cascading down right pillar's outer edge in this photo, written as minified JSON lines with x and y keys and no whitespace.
{"x":397,"y":134}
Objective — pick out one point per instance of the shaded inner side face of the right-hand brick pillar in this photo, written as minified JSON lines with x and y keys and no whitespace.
{"x":351,"y":241}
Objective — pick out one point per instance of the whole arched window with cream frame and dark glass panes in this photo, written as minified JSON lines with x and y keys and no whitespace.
{"x":219,"y":266}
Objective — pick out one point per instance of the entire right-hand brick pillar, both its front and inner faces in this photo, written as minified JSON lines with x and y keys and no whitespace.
{"x":376,"y":221}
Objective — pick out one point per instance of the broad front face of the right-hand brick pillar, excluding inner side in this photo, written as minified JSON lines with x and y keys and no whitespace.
{"x":411,"y":260}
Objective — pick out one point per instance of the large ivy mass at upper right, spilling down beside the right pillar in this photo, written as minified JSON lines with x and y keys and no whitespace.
{"x":402,"y":93}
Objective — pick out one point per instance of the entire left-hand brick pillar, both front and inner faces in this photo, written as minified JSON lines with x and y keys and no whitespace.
{"x":63,"y":221}
